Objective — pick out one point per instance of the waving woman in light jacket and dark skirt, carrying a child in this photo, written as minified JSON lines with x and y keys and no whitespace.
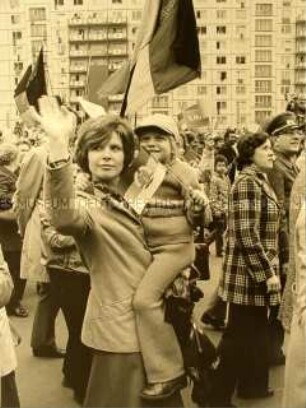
{"x":111,"y":239}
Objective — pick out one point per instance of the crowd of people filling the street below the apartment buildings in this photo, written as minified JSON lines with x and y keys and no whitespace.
{"x":105,"y":218}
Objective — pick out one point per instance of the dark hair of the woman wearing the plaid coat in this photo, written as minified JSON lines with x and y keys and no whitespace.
{"x":246,"y":146}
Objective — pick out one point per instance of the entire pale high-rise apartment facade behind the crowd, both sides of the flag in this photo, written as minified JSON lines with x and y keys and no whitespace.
{"x":252,"y":51}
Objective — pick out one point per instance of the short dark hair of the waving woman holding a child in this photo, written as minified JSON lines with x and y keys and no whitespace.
{"x":97,"y":131}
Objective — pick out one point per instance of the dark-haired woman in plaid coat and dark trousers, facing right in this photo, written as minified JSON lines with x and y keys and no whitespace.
{"x":250,"y":282}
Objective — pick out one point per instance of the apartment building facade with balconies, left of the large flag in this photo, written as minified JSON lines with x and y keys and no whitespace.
{"x":74,"y":35}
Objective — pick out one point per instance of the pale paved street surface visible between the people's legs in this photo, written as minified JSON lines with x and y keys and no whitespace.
{"x":39,"y":380}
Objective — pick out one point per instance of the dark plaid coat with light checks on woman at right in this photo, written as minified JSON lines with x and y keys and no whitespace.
{"x":251,"y":254}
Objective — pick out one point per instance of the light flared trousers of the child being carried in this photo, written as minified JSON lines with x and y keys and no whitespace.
{"x":160,"y":349}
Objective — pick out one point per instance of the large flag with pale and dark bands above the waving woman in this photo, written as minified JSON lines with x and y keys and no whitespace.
{"x":167,"y":53}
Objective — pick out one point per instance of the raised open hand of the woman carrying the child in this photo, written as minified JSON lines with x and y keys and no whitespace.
{"x":58,"y":123}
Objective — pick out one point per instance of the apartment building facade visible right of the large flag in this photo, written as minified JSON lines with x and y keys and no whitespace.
{"x":249,"y":59}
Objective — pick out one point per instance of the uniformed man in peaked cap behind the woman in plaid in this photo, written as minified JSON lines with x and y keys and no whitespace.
{"x":286,"y":144}
